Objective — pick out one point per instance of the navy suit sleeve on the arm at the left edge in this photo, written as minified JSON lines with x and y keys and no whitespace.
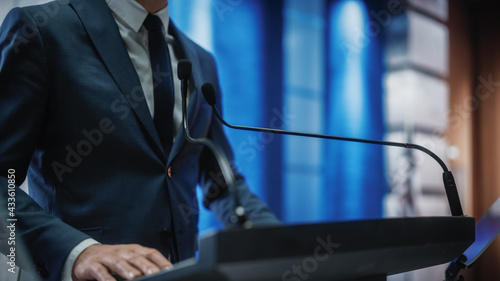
{"x":24,"y":95}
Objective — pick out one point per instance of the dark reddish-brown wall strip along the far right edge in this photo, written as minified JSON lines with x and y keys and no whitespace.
{"x":487,"y":127}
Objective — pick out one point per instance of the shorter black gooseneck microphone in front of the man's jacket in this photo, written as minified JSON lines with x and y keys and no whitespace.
{"x":239,"y":217}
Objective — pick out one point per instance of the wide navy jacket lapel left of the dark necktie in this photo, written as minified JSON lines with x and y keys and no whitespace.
{"x":103,"y":32}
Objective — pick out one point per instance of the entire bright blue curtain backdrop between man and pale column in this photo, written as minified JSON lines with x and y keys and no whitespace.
{"x":298,"y":65}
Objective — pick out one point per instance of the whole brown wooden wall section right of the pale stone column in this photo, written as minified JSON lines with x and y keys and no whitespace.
{"x":475,"y":86}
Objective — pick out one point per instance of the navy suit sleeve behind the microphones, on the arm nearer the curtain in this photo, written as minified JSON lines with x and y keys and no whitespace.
{"x":218,"y":197}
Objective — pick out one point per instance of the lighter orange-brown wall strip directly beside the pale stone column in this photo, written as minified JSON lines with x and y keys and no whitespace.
{"x":460,"y":117}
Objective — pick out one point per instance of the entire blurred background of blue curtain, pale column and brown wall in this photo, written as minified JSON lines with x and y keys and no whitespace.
{"x":421,"y":71}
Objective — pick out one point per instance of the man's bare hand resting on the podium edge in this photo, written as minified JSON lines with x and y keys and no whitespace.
{"x":98,"y":262}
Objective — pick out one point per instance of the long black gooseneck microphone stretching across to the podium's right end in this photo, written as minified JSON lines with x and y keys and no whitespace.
{"x":449,"y":181}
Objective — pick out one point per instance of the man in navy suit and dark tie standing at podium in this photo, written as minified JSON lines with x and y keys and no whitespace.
{"x":109,"y":193}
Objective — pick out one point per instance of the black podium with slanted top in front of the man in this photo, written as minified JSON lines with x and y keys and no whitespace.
{"x":367,"y":250}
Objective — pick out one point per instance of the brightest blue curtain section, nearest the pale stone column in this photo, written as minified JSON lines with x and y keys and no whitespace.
{"x":356,"y":182}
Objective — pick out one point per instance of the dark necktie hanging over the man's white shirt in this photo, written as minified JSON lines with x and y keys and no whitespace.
{"x":162,"y":82}
